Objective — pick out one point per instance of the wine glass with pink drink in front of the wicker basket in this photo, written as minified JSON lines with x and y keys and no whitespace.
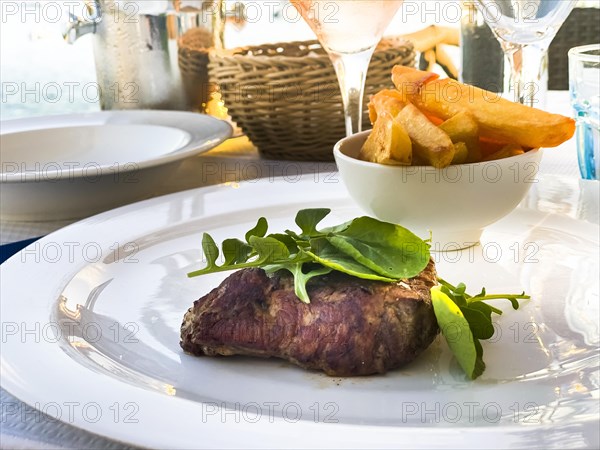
{"x":349,"y":30}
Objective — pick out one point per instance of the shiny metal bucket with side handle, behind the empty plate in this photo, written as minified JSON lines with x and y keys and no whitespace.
{"x":137,"y":46}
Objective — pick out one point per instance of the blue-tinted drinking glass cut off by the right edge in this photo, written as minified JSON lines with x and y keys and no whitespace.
{"x":584,"y":87}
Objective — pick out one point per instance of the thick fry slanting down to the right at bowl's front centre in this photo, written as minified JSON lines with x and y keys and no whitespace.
{"x":429,"y":142}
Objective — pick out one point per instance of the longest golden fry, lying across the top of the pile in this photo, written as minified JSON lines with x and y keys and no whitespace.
{"x":498,"y":119}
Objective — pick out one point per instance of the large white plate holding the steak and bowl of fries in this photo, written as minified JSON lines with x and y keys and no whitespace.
{"x":91,"y":318}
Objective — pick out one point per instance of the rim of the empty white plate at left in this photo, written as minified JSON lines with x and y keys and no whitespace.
{"x":189,"y":122}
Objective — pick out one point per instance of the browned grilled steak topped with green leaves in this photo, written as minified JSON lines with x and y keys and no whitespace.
{"x":351,"y":327}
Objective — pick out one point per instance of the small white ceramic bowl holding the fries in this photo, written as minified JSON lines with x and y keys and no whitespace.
{"x":455,"y":204}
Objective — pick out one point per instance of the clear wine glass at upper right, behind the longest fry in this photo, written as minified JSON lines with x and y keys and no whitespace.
{"x":525,"y":29}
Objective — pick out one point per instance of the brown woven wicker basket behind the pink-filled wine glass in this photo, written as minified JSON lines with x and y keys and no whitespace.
{"x":286,"y":98}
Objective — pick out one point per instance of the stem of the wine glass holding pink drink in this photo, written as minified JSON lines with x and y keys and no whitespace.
{"x":351,"y":70}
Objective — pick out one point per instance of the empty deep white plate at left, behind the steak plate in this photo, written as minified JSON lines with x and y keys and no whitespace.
{"x":65,"y":167}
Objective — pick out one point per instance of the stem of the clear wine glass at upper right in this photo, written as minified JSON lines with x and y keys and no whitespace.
{"x":529,"y":75}
